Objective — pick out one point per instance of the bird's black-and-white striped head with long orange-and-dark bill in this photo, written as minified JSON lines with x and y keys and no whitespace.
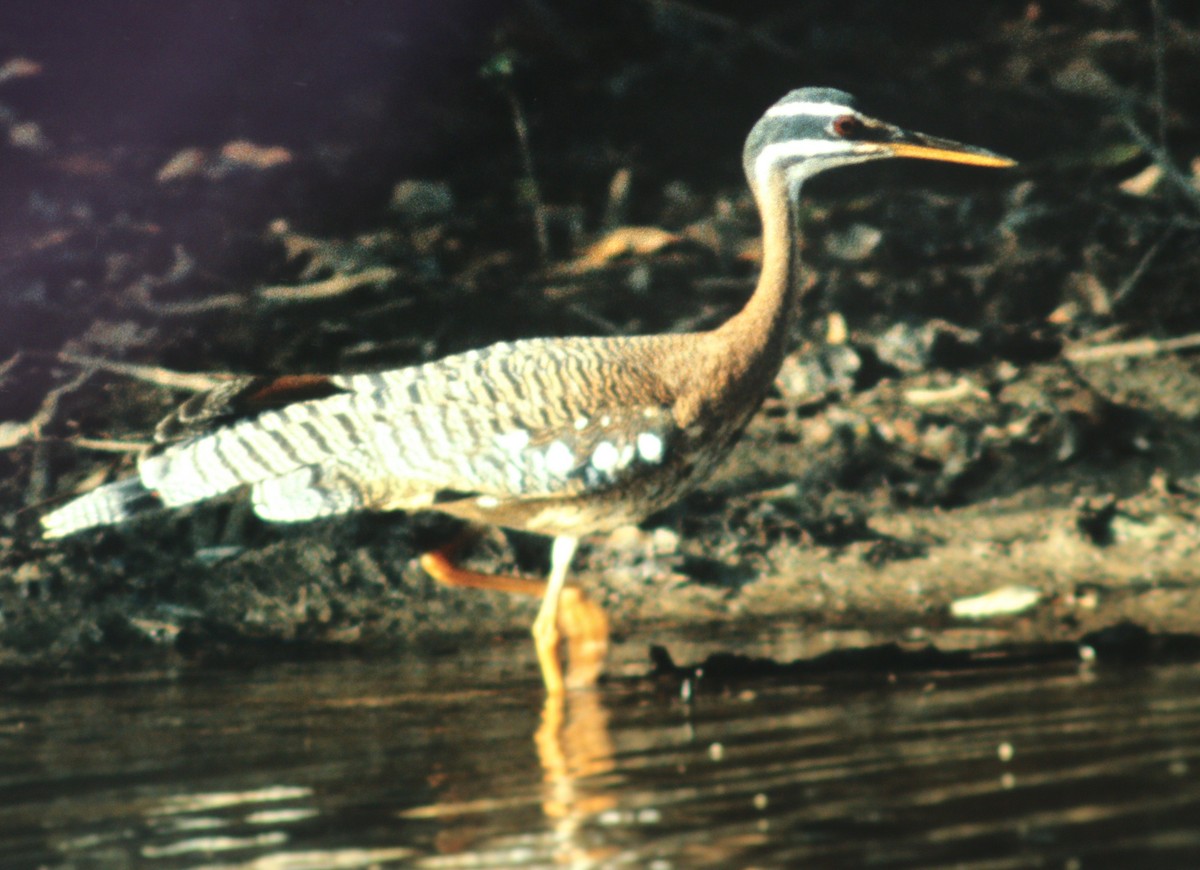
{"x":818,"y":129}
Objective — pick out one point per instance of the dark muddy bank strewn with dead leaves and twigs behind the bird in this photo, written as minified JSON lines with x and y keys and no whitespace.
{"x":248,"y":188}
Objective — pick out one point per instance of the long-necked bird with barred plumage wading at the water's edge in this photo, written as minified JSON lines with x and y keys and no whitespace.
{"x":562,"y":437}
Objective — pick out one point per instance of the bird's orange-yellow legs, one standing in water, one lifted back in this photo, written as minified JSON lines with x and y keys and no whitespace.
{"x":565,"y":609}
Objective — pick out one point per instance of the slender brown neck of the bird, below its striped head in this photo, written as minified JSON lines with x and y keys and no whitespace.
{"x":757,"y":335}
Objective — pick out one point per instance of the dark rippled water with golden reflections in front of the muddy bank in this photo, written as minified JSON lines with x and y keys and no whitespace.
{"x":455,"y":763}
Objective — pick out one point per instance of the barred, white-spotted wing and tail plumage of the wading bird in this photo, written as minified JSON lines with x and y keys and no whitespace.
{"x":512,"y":422}
